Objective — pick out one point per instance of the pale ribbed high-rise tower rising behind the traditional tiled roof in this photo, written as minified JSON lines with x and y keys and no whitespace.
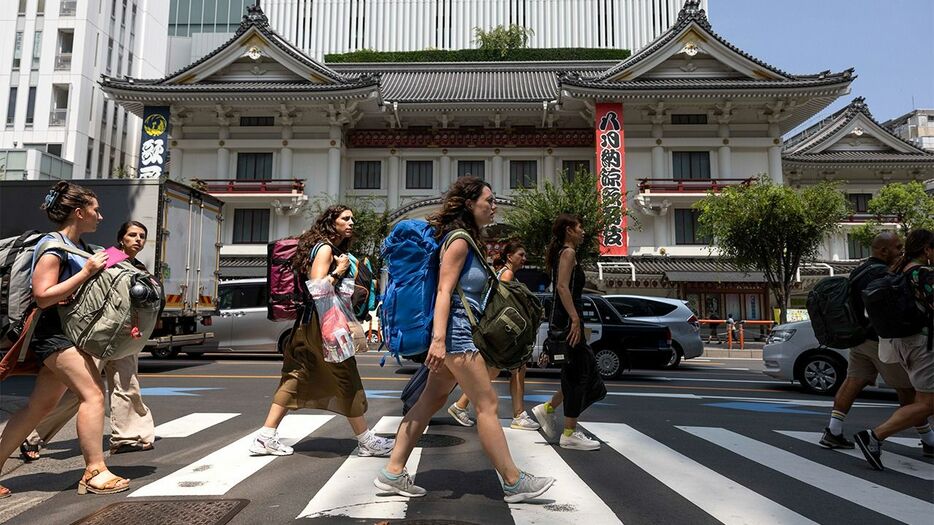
{"x":197,"y":27}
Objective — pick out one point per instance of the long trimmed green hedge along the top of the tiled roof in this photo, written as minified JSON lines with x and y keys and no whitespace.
{"x":480,"y":55}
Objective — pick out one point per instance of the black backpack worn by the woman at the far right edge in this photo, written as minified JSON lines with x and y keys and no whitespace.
{"x":891,"y":307}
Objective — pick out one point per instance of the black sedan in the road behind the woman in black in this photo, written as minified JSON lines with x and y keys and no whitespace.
{"x":612,"y":338}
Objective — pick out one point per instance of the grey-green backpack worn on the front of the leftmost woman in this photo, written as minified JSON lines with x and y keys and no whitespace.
{"x":113,"y":313}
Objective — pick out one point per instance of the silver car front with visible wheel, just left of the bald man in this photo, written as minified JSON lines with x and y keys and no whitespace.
{"x":792,"y":352}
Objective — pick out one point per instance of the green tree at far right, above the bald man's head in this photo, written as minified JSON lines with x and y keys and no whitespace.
{"x":904,"y":203}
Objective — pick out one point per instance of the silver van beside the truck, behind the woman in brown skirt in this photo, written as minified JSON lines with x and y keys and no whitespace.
{"x":242,"y":325}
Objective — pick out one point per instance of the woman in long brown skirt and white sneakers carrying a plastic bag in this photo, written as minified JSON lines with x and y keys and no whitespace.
{"x":308,"y":381}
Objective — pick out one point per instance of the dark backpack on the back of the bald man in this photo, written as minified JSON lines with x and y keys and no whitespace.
{"x":835,"y":320}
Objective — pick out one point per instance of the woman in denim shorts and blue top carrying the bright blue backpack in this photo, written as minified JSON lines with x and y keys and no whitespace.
{"x":453,"y":357}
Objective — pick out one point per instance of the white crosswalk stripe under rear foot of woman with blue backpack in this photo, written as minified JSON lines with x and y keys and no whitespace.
{"x":350,"y":491}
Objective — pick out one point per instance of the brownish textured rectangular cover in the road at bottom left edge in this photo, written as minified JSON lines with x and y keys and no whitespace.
{"x":184,"y":512}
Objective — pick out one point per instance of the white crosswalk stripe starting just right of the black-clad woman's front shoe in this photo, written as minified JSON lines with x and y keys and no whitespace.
{"x":731,"y":503}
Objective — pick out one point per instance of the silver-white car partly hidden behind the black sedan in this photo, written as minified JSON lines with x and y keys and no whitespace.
{"x":686,"y":341}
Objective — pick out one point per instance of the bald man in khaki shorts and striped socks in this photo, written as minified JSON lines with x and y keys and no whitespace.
{"x":863,"y":363}
